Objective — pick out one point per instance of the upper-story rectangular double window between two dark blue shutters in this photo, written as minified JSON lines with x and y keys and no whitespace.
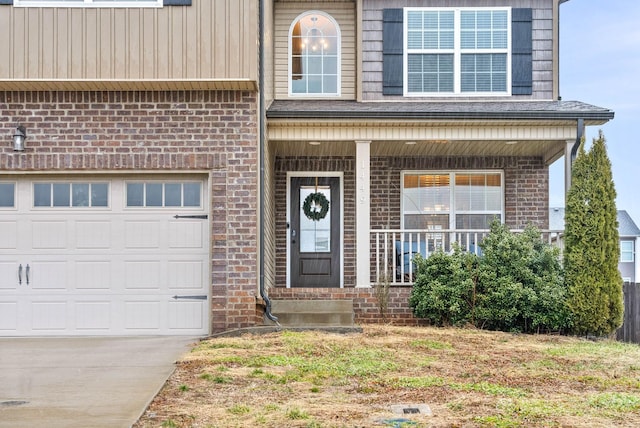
{"x":457,"y":51}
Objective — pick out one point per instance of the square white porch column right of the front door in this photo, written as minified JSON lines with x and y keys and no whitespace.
{"x":363,"y":213}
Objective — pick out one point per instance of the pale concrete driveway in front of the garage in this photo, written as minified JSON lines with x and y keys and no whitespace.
{"x":83,"y":382}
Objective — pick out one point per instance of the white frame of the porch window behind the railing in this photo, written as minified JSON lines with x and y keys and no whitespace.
{"x":452,"y":212}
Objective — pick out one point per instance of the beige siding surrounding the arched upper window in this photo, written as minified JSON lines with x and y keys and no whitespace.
{"x":345,"y":15}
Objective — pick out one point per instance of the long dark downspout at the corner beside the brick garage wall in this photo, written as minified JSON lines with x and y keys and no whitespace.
{"x":261,"y":137}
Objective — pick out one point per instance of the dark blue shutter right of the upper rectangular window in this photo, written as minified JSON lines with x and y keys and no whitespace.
{"x":521,"y":52}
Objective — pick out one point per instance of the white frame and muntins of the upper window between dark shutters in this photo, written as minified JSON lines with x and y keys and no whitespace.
{"x":457,"y":53}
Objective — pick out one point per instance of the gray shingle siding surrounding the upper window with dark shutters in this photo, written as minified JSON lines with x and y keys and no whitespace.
{"x":543,"y":45}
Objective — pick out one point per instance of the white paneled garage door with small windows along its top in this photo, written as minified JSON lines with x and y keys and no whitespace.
{"x":103,"y":256}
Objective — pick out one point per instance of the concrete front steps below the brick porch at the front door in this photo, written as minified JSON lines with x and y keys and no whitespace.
{"x":311,"y":313}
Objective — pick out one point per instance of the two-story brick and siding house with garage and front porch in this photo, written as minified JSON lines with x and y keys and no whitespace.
{"x":171,"y":146}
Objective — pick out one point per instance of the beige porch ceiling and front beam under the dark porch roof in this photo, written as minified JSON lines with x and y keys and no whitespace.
{"x":432,"y":138}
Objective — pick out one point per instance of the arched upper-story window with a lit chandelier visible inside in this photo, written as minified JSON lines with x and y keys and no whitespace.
{"x":314,"y":55}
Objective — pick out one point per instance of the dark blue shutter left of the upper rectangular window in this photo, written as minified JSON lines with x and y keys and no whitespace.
{"x":392,"y":72}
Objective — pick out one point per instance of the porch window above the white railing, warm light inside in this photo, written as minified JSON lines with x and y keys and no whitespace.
{"x":451,"y":200}
